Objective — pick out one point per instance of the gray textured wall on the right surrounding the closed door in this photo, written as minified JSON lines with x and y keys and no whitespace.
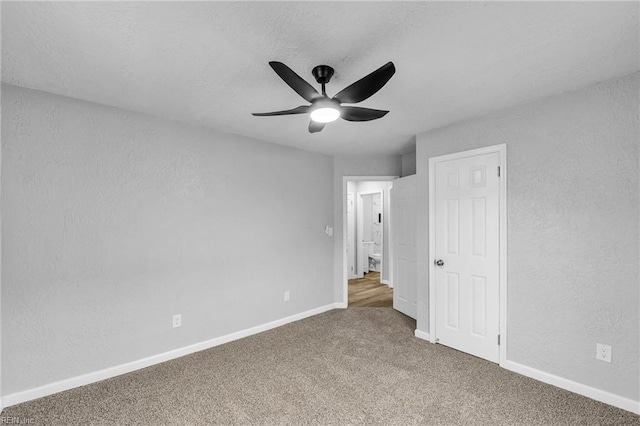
{"x":573,"y":233}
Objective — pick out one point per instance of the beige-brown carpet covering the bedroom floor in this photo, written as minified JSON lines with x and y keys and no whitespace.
{"x":354,"y":366}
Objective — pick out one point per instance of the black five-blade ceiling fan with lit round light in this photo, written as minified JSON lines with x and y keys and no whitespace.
{"x":324,"y":109}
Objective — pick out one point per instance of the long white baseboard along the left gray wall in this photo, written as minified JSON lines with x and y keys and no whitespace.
{"x":107,"y":373}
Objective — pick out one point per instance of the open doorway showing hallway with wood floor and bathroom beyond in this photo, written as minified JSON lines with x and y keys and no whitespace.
{"x":367,"y":266}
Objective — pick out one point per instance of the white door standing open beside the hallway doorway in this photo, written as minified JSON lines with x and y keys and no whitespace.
{"x":404,"y":244}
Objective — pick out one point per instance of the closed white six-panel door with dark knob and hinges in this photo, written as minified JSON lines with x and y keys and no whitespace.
{"x":467,"y":226}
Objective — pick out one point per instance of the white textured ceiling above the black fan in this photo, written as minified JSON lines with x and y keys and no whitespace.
{"x":207,"y":63}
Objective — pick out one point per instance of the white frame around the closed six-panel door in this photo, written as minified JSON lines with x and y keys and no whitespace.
{"x":502,"y":151}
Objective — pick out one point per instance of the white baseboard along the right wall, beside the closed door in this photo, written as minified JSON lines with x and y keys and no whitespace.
{"x":570,"y":385}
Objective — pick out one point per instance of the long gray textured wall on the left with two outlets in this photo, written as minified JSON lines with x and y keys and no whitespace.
{"x":114,"y":221}
